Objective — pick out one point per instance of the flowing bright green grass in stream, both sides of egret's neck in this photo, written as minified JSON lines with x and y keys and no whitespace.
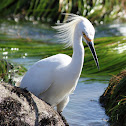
{"x":110,"y":60}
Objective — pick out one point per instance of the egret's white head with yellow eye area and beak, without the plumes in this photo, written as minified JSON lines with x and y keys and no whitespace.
{"x":87,"y":32}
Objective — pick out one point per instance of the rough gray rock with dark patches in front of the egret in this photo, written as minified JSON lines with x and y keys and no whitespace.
{"x":18,"y":107}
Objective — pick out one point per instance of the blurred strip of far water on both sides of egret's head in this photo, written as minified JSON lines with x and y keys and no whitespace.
{"x":45,"y":33}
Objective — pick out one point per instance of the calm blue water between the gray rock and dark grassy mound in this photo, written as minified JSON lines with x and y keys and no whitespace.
{"x":84,"y":108}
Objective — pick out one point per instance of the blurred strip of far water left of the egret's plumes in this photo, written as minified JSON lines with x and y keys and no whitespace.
{"x":28,"y":30}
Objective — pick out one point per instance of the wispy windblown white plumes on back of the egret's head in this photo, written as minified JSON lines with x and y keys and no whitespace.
{"x":65,"y":31}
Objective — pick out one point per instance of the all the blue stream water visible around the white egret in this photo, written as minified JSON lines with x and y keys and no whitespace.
{"x":84,"y":108}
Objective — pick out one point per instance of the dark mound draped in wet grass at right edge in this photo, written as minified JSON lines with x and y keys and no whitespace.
{"x":114,"y":100}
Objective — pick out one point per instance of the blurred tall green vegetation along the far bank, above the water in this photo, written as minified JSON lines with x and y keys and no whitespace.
{"x":98,"y":11}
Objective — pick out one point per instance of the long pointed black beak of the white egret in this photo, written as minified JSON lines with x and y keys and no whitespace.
{"x":91,"y":46}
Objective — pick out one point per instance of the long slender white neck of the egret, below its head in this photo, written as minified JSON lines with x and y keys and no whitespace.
{"x":78,"y":56}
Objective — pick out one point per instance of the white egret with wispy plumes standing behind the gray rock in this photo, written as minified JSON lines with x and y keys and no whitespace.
{"x":54,"y":78}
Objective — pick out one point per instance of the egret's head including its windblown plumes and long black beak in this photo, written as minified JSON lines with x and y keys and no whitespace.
{"x":83,"y":28}
